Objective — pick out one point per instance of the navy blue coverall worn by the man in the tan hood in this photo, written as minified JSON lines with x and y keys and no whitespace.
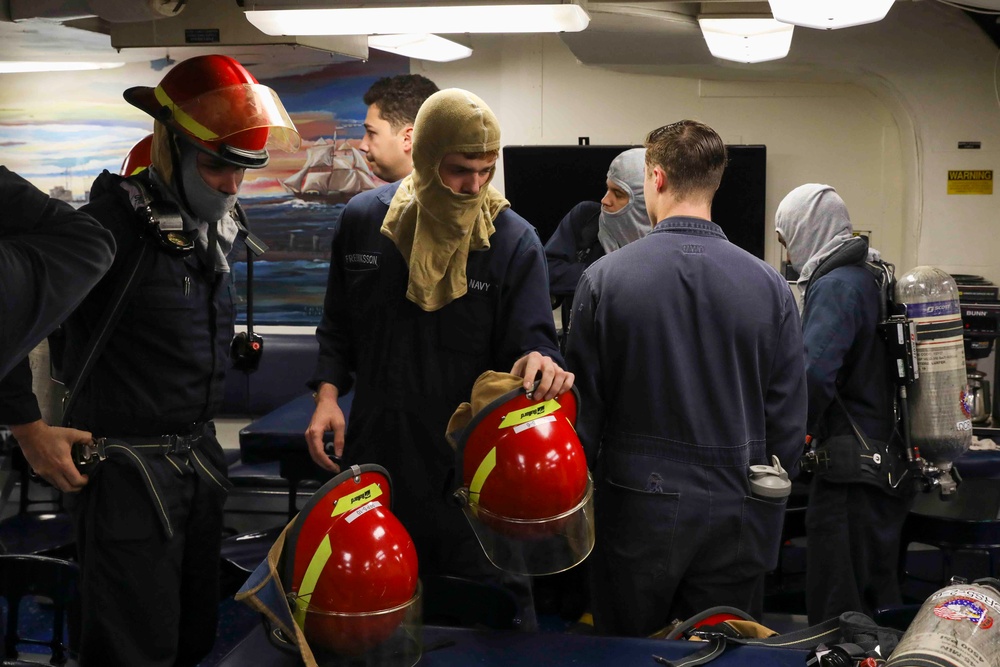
{"x":410,"y":369}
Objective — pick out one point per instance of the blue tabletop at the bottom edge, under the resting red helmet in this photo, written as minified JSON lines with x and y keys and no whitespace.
{"x":475,"y":647}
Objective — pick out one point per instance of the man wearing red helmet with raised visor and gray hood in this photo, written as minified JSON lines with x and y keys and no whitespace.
{"x":149,"y":517}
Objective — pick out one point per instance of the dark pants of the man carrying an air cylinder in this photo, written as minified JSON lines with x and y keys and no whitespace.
{"x":852,"y":533}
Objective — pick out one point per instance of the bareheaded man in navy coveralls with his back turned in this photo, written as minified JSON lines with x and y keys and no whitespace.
{"x":688,"y":354}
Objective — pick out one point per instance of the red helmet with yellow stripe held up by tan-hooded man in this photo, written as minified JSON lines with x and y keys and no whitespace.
{"x":525,"y":485}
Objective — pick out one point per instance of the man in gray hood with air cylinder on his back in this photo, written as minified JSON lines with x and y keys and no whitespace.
{"x":852,"y":528}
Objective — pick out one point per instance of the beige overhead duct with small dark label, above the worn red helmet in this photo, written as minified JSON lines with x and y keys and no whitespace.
{"x":209,"y":24}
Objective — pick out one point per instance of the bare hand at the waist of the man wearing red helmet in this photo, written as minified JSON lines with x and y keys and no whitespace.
{"x":47,"y":450}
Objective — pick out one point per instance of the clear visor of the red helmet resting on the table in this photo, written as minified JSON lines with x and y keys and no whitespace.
{"x":385,"y":638}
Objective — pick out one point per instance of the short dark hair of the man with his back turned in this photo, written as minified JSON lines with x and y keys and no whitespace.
{"x":692,"y":155}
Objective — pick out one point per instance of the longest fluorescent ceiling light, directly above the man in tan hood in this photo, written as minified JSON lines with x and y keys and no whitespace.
{"x":425,"y":19}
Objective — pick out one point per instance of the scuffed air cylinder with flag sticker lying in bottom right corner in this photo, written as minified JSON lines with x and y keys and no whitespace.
{"x":958,"y":626}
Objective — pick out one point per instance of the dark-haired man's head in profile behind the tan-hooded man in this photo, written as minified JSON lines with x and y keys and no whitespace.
{"x":393,"y":103}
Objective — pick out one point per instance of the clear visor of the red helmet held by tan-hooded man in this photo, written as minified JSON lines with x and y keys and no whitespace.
{"x":536,"y":546}
